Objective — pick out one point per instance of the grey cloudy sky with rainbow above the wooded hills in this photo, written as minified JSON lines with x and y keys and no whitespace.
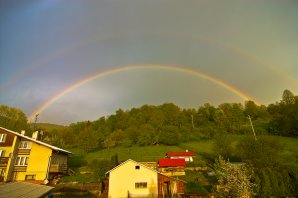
{"x":80,"y":60}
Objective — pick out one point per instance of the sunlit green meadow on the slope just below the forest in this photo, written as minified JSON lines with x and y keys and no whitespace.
{"x":203,"y":148}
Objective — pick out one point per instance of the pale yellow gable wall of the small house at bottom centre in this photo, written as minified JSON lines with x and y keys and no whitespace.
{"x":122,"y":181}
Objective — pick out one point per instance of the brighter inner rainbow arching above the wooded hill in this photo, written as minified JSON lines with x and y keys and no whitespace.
{"x":190,"y":71}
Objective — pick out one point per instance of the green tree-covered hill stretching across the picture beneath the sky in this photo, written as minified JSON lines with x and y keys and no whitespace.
{"x":168,"y":124}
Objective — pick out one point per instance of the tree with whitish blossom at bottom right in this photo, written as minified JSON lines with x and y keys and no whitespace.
{"x":233,"y":180}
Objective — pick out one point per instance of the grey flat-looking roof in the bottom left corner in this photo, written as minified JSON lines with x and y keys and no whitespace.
{"x":23,"y":189}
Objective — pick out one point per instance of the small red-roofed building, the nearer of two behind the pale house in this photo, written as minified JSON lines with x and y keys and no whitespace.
{"x":172,"y":167}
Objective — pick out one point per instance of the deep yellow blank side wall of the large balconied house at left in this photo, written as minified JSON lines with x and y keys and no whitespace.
{"x":38,"y":163}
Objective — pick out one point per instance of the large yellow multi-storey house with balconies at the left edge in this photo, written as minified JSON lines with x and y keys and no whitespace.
{"x":24,"y":158}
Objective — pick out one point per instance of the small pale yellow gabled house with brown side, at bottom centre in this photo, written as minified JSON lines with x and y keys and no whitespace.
{"x":133,"y":179}
